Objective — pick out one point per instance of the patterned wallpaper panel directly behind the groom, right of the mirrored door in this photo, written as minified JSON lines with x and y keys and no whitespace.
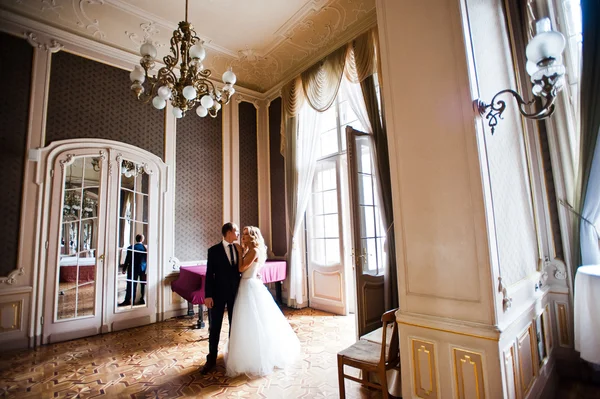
{"x":199,"y":186}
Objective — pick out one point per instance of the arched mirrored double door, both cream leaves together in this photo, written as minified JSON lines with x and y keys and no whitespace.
{"x":101,"y":260}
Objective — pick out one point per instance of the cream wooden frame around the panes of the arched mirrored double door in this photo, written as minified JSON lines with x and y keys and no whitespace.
{"x":107,"y":319}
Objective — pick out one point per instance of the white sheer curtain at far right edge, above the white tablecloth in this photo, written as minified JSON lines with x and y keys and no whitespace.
{"x":590,"y":253}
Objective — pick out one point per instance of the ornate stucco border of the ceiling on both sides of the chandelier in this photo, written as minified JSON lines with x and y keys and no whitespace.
{"x":312,"y":32}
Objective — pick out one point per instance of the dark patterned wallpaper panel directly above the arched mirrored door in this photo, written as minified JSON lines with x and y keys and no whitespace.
{"x":89,"y":99}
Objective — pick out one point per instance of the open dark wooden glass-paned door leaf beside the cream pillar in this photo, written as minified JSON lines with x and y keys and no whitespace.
{"x":368,"y":233}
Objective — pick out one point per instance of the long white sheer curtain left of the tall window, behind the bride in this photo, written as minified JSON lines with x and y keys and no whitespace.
{"x":306,"y":162}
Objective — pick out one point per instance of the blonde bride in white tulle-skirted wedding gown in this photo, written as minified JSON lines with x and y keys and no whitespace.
{"x":260,"y":337}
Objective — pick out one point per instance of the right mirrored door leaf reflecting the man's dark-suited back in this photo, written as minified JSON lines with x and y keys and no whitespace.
{"x":133,"y":244}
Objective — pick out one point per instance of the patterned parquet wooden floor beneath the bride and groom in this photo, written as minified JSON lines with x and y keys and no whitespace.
{"x":162,"y":360}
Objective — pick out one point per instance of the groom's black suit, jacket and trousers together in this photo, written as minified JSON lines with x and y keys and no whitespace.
{"x":222,"y":282}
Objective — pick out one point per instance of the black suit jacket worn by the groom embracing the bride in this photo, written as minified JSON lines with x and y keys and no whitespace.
{"x":222,"y":278}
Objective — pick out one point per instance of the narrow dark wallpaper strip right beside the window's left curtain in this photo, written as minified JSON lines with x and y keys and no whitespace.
{"x":278,"y":220}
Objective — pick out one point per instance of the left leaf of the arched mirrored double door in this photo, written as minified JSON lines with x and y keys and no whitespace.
{"x":76,"y":249}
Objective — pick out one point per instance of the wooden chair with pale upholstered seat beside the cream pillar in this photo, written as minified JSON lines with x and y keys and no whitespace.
{"x":373,"y":357}
